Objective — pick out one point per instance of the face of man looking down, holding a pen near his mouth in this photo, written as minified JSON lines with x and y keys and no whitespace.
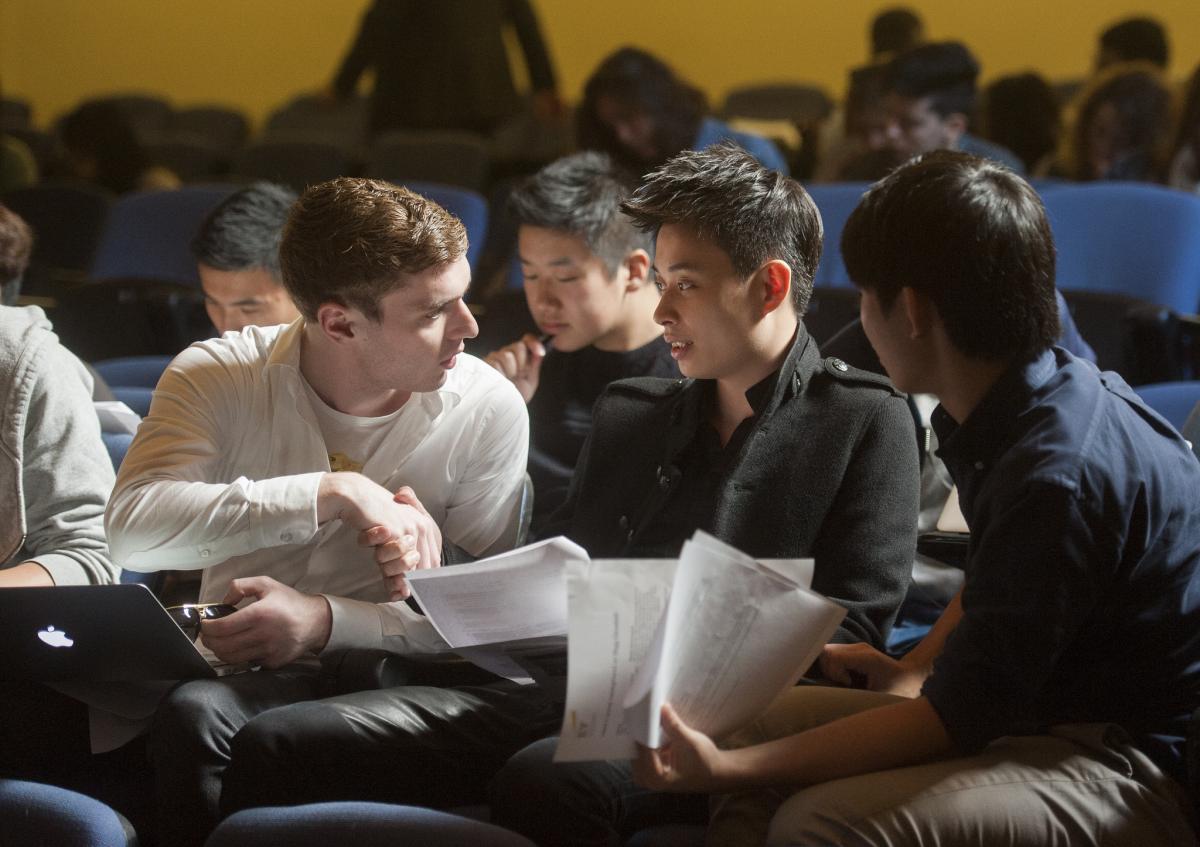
{"x":571,"y":295}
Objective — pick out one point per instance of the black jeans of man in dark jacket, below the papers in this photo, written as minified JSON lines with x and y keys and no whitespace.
{"x":583,"y":804}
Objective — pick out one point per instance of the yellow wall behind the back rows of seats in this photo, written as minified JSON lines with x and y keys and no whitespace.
{"x":255,"y":55}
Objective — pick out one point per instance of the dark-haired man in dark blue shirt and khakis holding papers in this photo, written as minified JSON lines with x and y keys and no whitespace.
{"x":1049,"y":705}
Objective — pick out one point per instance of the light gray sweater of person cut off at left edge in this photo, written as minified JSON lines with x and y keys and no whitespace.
{"x":55,"y":471}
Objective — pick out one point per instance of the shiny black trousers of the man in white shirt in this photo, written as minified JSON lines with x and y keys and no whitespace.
{"x":279,"y":738}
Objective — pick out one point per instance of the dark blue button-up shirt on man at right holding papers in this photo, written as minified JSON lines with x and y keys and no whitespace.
{"x":1083,"y":597}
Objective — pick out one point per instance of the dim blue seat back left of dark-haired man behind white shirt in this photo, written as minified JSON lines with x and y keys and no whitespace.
{"x":149,"y":235}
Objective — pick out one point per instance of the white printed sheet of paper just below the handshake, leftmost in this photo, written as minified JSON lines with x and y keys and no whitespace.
{"x":506,"y":598}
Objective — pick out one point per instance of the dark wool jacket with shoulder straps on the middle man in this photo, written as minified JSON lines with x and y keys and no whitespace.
{"x":830,"y":472}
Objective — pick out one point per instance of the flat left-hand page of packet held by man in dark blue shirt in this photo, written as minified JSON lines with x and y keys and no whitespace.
{"x":616,"y":606}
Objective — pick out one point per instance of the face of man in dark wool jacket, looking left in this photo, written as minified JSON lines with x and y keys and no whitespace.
{"x":706,"y":309}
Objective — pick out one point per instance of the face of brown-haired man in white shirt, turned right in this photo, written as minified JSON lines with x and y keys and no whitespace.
{"x":421,"y":332}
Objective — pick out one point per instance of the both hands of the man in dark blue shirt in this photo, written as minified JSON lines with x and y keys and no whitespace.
{"x":692,"y":762}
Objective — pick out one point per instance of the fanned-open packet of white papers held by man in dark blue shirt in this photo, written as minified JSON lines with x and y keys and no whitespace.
{"x":731,"y":635}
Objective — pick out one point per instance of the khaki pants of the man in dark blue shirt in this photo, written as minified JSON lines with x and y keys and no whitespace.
{"x":1078,"y":785}
